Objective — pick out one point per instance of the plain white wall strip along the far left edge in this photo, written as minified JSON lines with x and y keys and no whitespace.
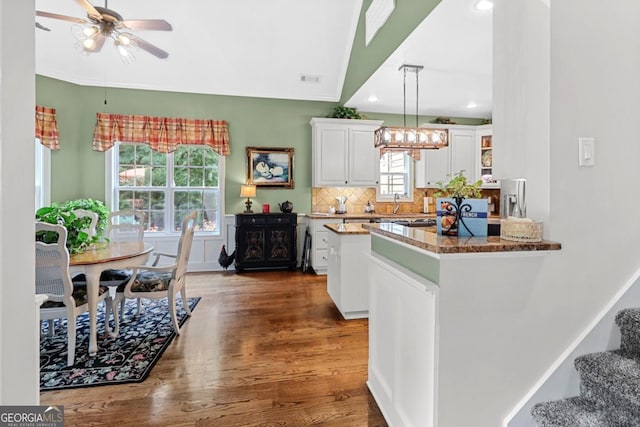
{"x":19,"y":354}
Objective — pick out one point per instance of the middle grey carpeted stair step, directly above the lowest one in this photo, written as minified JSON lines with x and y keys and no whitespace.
{"x":611,"y":380}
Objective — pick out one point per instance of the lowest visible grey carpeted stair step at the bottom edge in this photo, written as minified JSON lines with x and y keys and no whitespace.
{"x":574,"y":412}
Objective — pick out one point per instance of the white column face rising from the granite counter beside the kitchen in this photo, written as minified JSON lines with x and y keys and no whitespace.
{"x":521,"y":111}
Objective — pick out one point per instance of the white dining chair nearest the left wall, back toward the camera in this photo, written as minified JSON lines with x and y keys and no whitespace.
{"x":64,"y":300}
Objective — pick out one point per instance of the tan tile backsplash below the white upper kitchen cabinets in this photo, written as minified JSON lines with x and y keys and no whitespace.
{"x":322,"y":198}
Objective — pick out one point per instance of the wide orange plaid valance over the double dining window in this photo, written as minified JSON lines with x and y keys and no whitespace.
{"x":163,"y":134}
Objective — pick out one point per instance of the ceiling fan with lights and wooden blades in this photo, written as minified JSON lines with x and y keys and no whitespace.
{"x":103,"y":23}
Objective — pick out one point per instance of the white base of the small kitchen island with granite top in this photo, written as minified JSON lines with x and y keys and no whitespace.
{"x":347,"y":286}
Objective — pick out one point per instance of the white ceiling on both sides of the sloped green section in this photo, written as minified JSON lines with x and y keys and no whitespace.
{"x":261,"y":48}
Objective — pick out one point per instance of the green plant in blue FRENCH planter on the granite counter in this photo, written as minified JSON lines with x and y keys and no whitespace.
{"x":460,"y":211}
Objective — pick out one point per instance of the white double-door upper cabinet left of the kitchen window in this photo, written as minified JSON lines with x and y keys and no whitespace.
{"x":343,"y":153}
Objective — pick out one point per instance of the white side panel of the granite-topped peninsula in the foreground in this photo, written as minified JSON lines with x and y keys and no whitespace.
{"x":402,"y":344}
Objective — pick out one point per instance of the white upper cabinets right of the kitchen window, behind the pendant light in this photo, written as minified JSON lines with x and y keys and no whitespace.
{"x":463,"y":154}
